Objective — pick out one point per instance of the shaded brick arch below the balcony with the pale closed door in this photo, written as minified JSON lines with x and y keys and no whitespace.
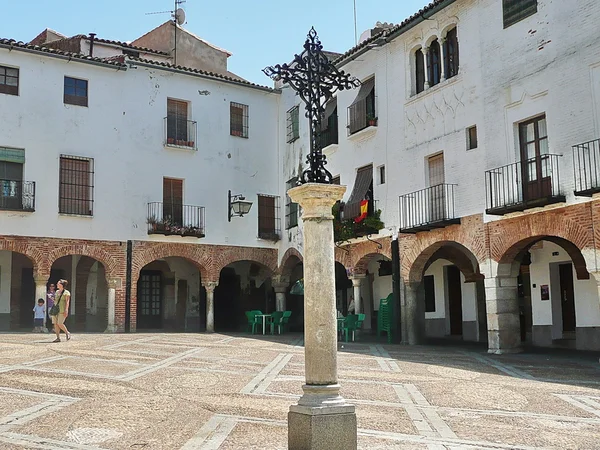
{"x":456,"y":253}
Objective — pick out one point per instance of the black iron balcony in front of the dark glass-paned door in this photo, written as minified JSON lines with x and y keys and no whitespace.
{"x":522,"y":185}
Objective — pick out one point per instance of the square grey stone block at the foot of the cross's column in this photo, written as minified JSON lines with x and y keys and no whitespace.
{"x":319,"y":428}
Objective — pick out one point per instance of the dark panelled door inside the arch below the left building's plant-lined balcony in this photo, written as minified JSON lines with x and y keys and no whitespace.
{"x":149,"y":301}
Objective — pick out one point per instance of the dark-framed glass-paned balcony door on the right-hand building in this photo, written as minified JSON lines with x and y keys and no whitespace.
{"x":535,"y":162}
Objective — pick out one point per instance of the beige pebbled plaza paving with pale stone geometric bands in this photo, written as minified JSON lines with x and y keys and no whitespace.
{"x":203,"y":391}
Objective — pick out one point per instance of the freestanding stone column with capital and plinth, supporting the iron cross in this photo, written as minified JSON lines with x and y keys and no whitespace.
{"x":322,"y":418}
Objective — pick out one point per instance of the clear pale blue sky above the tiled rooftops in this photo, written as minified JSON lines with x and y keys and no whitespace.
{"x":258,"y":32}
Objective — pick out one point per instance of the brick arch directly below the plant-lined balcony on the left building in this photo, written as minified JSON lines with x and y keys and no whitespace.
{"x":195,"y":254}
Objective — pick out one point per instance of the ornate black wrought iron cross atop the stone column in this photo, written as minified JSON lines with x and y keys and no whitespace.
{"x":315,"y":79}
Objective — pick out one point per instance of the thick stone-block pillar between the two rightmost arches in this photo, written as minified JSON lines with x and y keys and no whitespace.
{"x":502,"y":307}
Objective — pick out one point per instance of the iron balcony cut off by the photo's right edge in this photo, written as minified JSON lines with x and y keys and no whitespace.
{"x":586,"y":167}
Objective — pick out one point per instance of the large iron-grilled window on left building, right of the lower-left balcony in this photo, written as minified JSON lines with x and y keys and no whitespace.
{"x":76,"y":185}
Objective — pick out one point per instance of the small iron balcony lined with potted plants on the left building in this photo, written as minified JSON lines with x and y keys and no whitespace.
{"x":175,"y":220}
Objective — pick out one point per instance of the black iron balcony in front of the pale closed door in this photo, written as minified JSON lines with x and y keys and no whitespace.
{"x":428,"y":209}
